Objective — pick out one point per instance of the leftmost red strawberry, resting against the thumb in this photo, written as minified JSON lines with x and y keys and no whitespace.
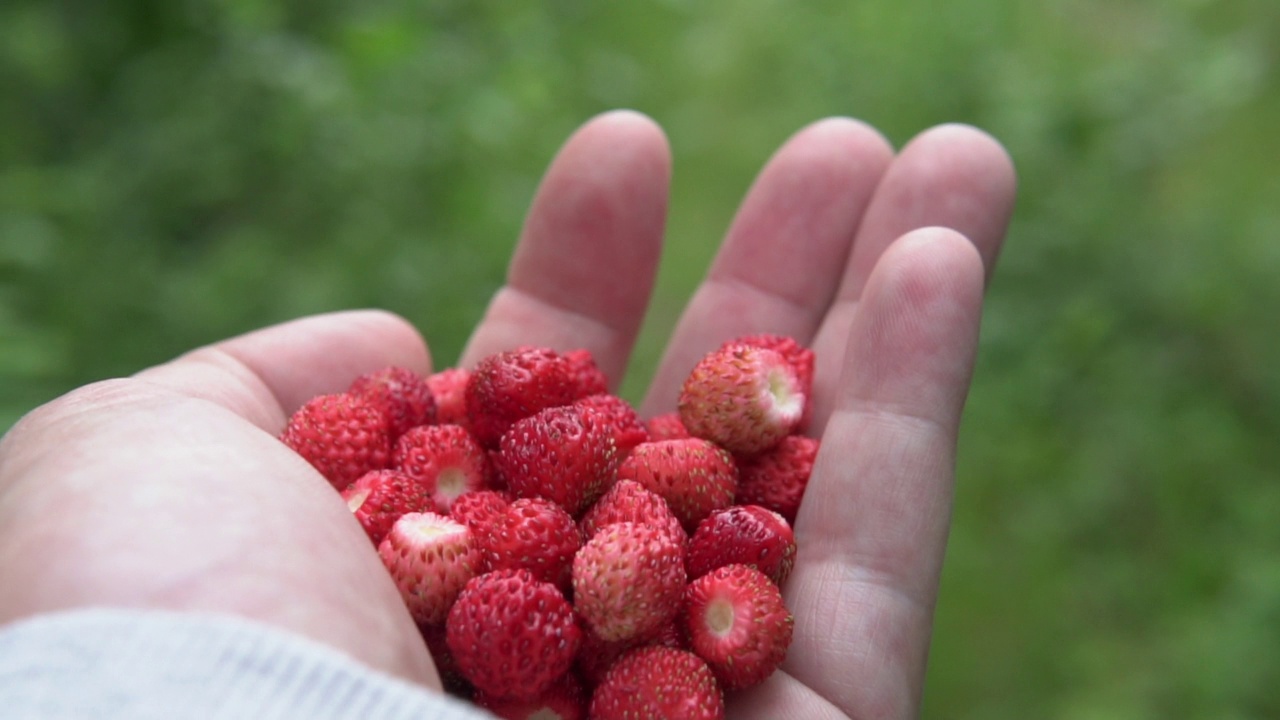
{"x":341,"y":436}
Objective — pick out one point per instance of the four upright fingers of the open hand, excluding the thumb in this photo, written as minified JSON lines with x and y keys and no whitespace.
{"x":828,"y":249}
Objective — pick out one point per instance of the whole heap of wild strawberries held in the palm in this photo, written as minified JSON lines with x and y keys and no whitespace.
{"x":561,"y":557}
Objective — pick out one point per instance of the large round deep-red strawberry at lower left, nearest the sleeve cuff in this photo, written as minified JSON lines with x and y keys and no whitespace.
{"x":505,"y":613}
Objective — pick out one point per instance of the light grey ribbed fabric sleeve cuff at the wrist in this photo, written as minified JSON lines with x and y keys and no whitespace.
{"x":115,"y":664}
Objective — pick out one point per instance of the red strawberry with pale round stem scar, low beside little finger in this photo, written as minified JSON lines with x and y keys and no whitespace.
{"x":739,"y":625}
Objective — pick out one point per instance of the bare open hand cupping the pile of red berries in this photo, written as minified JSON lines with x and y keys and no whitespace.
{"x":170,"y":490}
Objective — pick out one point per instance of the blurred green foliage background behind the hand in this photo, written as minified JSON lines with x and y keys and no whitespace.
{"x":175,"y":172}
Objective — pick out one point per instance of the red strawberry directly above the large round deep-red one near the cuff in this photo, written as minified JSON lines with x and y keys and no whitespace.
{"x":538,"y":536}
